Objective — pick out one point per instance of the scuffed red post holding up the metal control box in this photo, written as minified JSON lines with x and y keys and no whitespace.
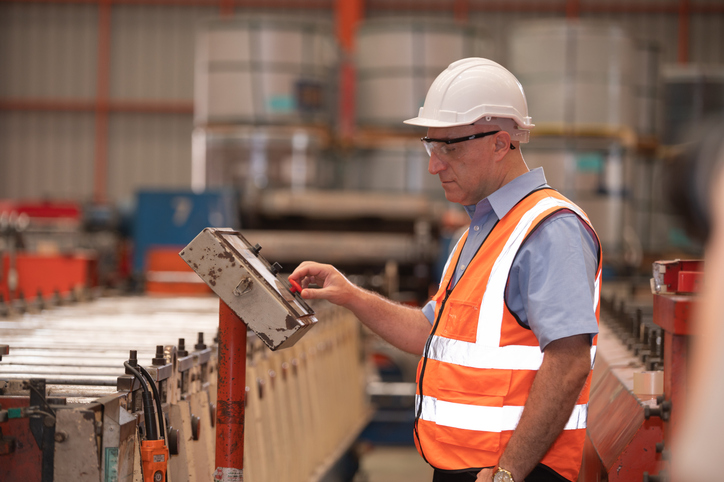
{"x":231,"y":394}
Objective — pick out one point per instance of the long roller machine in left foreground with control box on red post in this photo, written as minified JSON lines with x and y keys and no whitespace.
{"x":73,"y":404}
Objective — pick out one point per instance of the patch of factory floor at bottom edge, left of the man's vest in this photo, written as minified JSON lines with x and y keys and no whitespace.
{"x":393,"y":464}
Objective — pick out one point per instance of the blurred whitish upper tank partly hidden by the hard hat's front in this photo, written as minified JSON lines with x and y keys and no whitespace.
{"x":398,"y":59}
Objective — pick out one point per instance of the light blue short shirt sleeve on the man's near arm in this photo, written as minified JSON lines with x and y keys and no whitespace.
{"x":551,"y":287}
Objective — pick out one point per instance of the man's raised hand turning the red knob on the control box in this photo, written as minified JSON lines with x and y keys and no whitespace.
{"x":334,"y":287}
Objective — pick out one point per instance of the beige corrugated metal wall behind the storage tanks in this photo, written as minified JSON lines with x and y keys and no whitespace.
{"x":49,"y":54}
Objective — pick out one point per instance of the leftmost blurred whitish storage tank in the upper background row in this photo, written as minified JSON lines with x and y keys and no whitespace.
{"x":264,"y":70}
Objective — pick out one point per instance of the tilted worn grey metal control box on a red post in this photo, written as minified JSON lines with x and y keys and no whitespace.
{"x":249,"y":285}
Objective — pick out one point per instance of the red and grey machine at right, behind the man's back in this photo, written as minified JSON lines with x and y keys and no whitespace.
{"x":639,"y":381}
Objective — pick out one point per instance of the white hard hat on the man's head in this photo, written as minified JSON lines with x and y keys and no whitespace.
{"x":472,"y":90}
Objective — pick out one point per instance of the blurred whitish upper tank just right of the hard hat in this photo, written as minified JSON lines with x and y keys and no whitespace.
{"x":576,"y":74}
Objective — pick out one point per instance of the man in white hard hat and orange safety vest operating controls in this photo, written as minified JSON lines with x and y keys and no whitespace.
{"x":506,"y":343}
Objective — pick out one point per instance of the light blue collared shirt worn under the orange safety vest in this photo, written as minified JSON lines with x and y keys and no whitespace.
{"x":551,"y":287}
